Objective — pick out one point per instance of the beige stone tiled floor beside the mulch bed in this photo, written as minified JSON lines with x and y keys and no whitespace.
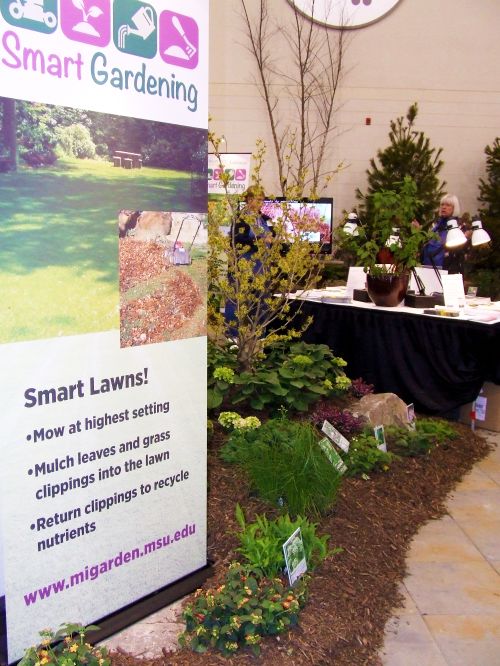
{"x":451,"y":615}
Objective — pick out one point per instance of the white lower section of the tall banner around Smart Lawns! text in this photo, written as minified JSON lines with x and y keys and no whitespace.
{"x":176,"y":374}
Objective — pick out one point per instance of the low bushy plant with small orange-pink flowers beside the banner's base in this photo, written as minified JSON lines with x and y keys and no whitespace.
{"x":241,"y":611}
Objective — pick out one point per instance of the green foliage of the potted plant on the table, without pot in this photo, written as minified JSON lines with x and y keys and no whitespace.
{"x":392,"y":209}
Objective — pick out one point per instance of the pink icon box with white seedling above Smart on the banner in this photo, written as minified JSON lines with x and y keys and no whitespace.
{"x":87,"y":21}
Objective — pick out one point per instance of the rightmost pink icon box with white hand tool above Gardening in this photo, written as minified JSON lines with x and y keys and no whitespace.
{"x":178,"y":41}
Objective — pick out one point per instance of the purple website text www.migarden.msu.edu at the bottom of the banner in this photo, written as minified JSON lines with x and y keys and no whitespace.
{"x":93,"y":571}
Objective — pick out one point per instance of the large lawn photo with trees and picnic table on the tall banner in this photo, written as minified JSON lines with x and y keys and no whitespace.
{"x":65,"y":175}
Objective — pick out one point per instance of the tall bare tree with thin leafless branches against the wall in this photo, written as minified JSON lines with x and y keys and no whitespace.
{"x":298,"y":83}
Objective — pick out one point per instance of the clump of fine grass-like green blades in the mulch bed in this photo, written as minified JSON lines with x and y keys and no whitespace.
{"x":286,"y":466}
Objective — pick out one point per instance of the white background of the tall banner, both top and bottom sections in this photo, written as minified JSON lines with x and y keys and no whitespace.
{"x":176,"y":374}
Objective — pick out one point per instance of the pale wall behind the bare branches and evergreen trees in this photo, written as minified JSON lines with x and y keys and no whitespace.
{"x":444,"y":55}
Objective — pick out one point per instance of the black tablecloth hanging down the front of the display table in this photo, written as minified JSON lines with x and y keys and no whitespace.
{"x":435,"y":362}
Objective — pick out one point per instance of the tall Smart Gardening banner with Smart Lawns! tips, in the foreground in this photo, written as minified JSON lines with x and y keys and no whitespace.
{"x":103,"y":110}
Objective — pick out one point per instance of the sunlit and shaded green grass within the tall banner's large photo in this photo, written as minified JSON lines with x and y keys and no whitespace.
{"x":59,"y":245}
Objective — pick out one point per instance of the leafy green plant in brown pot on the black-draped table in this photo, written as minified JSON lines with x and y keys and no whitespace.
{"x":388,"y":246}
